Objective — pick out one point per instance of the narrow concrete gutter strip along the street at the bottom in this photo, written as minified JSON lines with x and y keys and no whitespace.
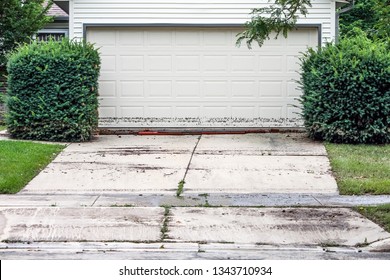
{"x":180,"y":251}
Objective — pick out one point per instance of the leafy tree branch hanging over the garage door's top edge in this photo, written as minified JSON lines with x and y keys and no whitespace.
{"x":280,"y":17}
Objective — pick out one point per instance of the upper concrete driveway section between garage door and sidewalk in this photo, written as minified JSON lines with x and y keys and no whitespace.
{"x":248,"y":163}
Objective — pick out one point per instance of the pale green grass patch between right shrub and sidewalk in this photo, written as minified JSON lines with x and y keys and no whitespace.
{"x":360,"y":169}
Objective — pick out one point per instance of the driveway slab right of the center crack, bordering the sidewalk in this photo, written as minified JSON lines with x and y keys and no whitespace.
{"x":260,"y":174}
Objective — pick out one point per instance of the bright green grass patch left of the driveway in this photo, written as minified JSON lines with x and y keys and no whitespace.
{"x":22,"y":161}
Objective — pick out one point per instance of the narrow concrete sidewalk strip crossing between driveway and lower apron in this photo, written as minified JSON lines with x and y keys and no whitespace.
{"x":214,"y":199}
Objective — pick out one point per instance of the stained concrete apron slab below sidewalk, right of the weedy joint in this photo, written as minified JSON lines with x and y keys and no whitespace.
{"x":278,"y":226}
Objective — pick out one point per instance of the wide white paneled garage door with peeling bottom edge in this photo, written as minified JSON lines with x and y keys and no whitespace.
{"x":197,"y":77}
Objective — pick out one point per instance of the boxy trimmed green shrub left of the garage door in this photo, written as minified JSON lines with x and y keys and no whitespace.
{"x":52,"y":91}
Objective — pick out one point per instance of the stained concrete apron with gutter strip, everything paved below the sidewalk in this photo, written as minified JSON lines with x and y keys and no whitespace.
{"x":189,"y":233}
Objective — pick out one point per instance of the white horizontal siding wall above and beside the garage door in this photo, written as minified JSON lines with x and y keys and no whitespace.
{"x":197,"y":12}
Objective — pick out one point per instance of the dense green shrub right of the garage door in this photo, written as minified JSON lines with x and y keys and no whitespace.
{"x":346,"y":91}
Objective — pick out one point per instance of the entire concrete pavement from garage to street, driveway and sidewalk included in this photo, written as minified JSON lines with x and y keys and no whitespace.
{"x":251,"y":196}
